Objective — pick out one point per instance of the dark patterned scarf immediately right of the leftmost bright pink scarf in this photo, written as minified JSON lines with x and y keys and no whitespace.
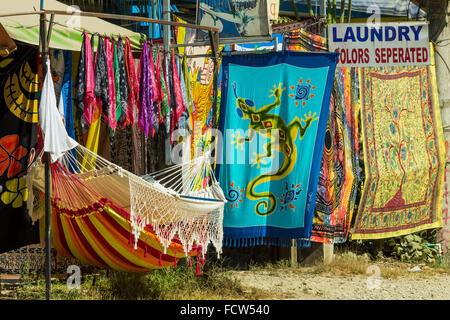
{"x":101,"y":79}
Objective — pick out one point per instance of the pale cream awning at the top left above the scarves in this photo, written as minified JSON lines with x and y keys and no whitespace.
{"x":67,"y":30}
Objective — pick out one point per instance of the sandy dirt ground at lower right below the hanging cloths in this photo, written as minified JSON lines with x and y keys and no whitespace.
{"x":286,"y":284}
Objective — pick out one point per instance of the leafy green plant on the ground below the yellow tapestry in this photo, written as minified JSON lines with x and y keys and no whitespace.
{"x":413,"y":248}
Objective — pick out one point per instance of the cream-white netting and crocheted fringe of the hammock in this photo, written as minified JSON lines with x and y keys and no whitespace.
{"x":183,"y":201}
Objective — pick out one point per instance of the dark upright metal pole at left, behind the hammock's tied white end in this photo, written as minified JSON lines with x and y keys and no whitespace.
{"x":44,"y":49}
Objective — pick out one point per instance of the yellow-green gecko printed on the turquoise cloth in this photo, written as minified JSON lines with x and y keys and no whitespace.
{"x":262,"y":122}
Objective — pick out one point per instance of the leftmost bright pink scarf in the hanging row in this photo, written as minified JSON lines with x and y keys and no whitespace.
{"x":89,"y":97}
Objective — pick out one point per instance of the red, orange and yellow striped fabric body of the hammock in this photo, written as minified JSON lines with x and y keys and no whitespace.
{"x":103,"y":237}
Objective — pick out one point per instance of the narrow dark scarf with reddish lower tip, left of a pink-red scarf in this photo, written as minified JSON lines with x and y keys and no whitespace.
{"x":122,"y":83}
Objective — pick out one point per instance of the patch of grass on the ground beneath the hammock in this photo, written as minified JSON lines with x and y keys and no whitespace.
{"x":213,"y":283}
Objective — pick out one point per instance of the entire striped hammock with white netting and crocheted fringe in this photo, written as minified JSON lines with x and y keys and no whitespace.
{"x":100,"y":210}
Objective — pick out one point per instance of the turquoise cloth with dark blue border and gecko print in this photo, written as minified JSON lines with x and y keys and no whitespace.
{"x":288,"y":91}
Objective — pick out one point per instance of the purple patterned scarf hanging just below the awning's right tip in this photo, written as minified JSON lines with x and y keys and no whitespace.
{"x":145,"y":93}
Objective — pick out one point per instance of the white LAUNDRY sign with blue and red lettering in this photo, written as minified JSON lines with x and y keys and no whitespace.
{"x":381,"y":44}
